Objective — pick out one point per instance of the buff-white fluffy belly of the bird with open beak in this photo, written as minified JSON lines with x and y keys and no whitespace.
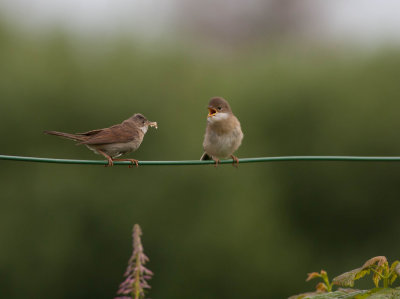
{"x":222,"y":146}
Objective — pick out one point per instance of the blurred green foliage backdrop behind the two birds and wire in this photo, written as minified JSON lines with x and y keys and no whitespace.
{"x":251,"y":232}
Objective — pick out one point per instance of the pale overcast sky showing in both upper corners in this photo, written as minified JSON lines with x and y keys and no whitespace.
{"x":364,"y":20}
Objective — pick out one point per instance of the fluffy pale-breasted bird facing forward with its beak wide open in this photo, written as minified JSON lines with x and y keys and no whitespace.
{"x":223,"y":132}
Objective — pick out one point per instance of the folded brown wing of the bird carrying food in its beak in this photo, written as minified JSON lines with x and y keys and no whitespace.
{"x":115,"y":134}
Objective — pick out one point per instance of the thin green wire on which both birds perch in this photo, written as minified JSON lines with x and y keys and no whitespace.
{"x":198,"y":162}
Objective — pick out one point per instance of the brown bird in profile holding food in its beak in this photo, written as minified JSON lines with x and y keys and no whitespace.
{"x":114,"y":141}
